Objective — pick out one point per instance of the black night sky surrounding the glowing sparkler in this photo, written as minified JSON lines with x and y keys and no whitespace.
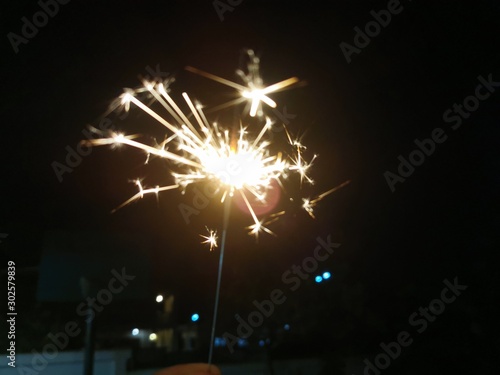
{"x":361,"y":117}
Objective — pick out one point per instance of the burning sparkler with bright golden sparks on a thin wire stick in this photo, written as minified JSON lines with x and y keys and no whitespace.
{"x":239,"y":163}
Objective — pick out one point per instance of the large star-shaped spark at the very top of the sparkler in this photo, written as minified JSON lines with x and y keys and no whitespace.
{"x":255,"y":93}
